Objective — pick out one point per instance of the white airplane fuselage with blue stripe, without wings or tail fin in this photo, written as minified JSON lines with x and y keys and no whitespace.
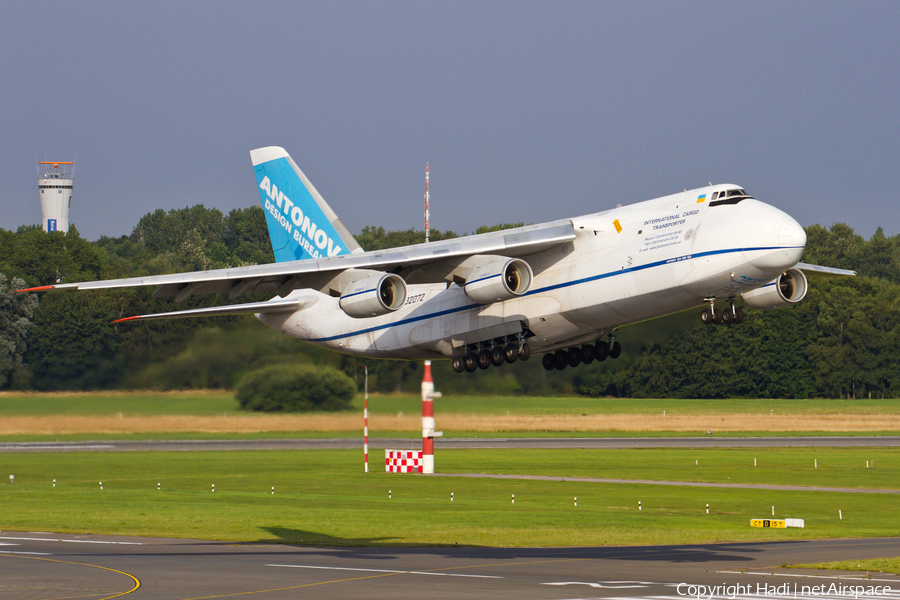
{"x":625,"y":265}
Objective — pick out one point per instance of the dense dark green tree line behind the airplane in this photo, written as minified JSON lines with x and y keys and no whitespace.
{"x":843,"y":340}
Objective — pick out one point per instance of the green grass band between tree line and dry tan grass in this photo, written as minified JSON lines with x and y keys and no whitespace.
{"x":216,"y":402}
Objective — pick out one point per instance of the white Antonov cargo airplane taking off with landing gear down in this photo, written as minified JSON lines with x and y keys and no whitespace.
{"x":561,"y":289}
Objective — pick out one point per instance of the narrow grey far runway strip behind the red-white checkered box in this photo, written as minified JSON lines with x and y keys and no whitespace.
{"x":461,"y":443}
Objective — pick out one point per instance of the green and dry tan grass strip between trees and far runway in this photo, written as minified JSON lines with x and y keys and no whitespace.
{"x":216,"y":414}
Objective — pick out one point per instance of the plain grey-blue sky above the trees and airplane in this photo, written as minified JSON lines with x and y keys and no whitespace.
{"x":526,"y":111}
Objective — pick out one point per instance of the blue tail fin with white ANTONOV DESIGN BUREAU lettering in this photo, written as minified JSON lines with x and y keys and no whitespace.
{"x":301,"y":224}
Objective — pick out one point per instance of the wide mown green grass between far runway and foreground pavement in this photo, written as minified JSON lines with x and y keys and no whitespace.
{"x":323,"y":497}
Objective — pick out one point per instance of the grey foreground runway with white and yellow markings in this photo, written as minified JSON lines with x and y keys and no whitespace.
{"x":56,"y":566}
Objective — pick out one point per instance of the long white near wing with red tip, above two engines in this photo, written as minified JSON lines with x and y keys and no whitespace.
{"x":424,"y":263}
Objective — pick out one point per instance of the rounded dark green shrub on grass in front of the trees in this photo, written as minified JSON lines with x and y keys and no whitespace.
{"x":295,"y":388}
